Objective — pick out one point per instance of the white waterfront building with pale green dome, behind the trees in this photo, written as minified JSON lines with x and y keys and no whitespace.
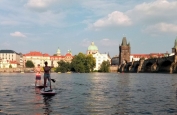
{"x":93,"y":50}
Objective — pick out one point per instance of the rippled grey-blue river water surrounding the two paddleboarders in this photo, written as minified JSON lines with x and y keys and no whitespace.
{"x":90,"y":94}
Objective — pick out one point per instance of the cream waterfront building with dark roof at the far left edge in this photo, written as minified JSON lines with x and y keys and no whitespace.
{"x":10,"y":59}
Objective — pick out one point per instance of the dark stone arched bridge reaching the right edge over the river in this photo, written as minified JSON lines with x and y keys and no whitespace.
{"x":161,"y":65}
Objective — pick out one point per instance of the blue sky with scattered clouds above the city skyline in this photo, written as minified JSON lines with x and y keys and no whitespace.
{"x":44,"y":25}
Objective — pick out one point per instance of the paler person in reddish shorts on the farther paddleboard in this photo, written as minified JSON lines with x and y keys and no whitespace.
{"x":38,"y":74}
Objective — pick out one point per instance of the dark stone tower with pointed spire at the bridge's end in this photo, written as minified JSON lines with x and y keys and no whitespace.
{"x":124,"y":51}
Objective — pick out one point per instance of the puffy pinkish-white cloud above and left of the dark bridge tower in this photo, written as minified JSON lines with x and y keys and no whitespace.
{"x":116,"y":18}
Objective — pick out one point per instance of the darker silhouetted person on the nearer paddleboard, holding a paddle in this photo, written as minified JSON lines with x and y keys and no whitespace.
{"x":47,"y":70}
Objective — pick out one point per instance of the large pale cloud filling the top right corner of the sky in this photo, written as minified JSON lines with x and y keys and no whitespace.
{"x":154,"y":12}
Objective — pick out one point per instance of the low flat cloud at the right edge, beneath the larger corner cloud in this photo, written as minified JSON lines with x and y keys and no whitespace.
{"x":161,"y":28}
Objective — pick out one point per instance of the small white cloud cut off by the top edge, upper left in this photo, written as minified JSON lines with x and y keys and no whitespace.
{"x":39,"y":5}
